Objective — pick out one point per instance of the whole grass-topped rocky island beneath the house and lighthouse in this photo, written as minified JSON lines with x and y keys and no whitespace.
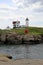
{"x":18,"y":36}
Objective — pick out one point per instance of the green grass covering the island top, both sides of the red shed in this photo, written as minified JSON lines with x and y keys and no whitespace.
{"x":32,"y":30}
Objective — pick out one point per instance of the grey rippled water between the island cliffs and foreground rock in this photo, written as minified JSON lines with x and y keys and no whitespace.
{"x":23,"y":51}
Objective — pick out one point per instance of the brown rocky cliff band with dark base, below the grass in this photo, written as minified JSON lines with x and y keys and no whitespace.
{"x":14,"y":38}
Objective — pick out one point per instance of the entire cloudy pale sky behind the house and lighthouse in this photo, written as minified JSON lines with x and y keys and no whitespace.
{"x":13,"y":10}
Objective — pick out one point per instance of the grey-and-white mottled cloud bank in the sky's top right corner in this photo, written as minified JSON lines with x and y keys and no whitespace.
{"x":36,"y":5}
